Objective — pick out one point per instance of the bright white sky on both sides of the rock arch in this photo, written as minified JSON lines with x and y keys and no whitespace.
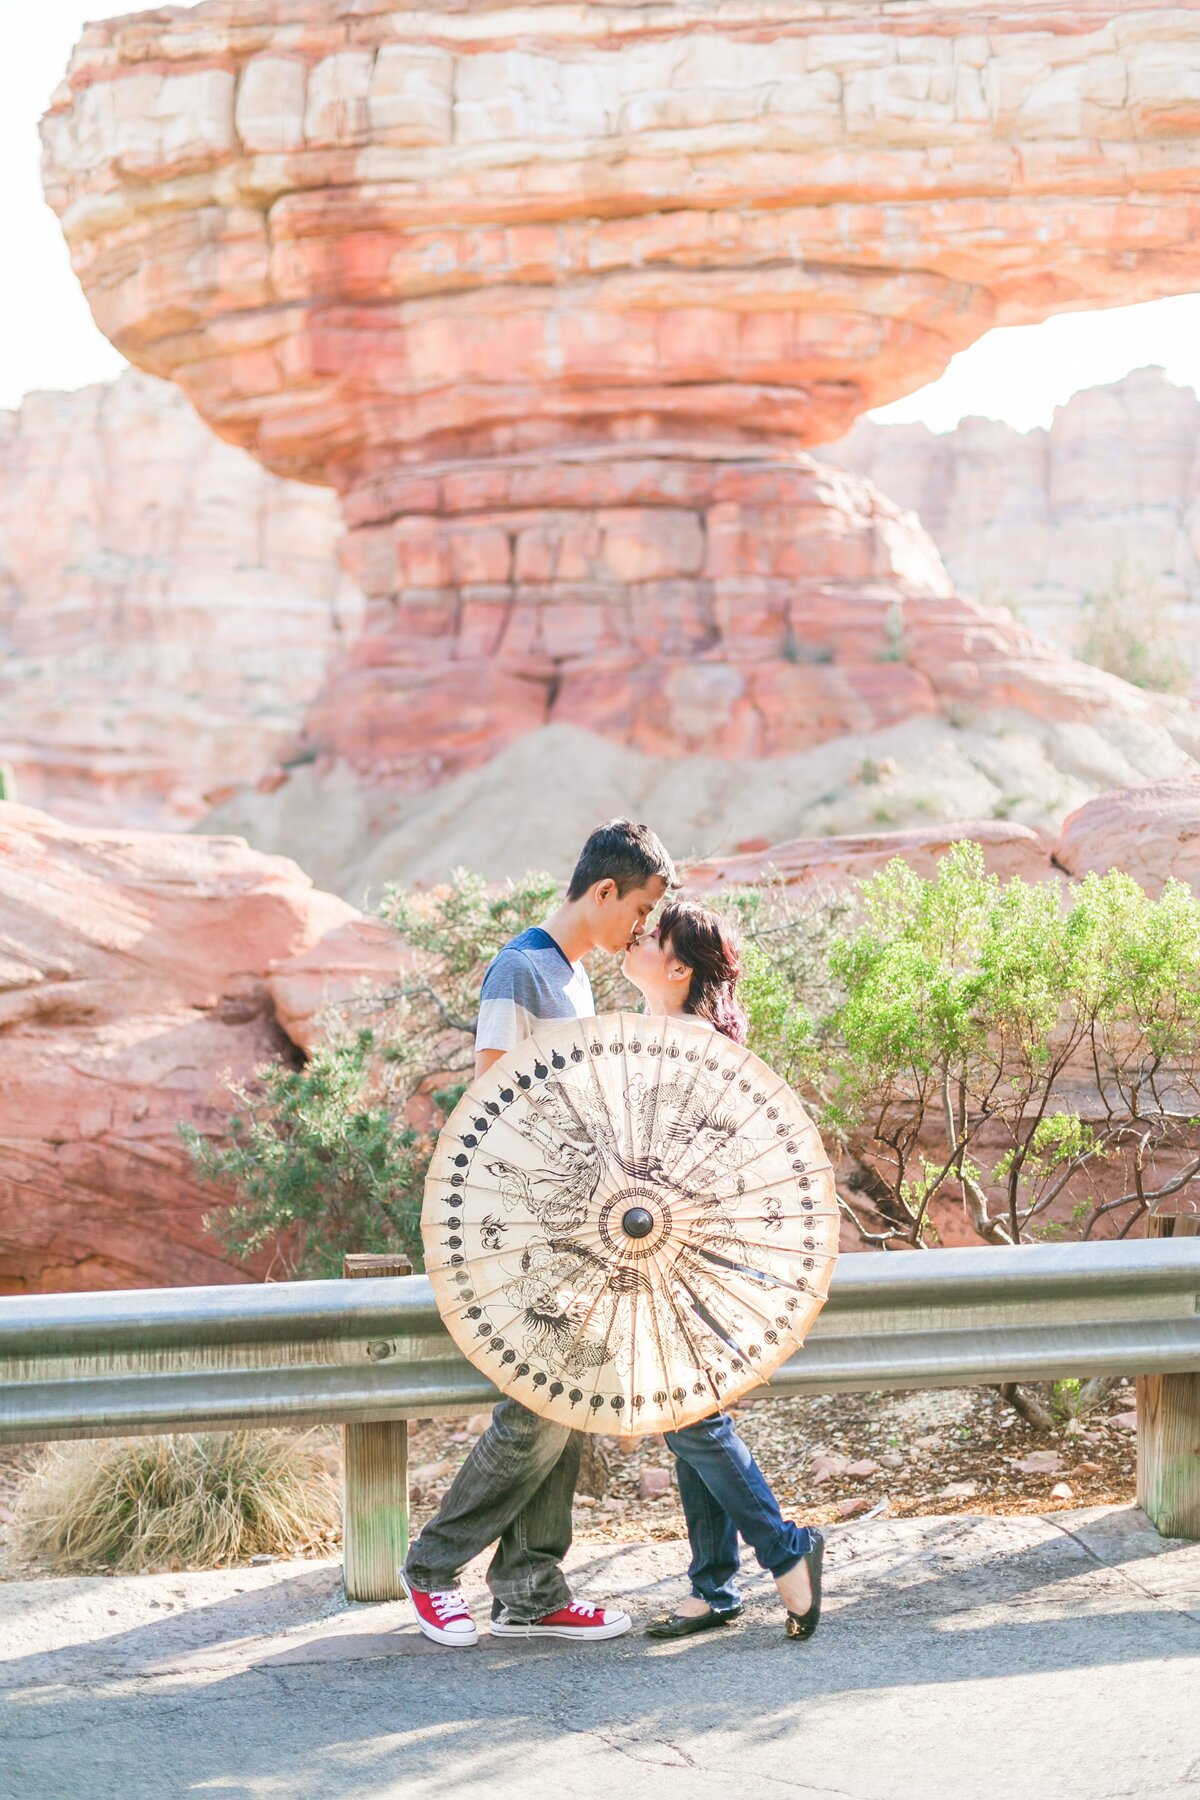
{"x":48,"y":337}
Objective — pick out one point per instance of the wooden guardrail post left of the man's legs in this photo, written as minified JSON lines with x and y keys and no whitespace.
{"x":375,"y":1482}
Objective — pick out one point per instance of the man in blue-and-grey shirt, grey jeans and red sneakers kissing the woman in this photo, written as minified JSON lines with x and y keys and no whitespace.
{"x":519,"y":1482}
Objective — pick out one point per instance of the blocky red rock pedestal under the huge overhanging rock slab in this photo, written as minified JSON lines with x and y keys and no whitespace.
{"x":737,"y":607}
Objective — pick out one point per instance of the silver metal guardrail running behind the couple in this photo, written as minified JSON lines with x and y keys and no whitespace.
{"x":301,"y":1353}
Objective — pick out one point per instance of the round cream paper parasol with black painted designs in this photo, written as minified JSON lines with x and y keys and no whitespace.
{"x":629,"y":1223}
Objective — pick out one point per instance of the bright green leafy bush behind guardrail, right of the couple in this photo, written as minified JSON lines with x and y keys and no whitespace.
{"x":976,"y":1011}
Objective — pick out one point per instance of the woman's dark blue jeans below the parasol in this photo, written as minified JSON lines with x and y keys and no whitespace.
{"x":726,"y":1493}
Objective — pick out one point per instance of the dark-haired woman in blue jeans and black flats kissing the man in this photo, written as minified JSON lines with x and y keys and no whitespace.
{"x":688,"y":967}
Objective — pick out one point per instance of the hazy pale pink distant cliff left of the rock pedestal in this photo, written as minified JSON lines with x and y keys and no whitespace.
{"x":168,"y":607}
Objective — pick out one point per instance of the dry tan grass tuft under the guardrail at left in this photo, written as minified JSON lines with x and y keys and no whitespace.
{"x":181,"y":1502}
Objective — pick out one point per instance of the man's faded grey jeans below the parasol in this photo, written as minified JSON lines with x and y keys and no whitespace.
{"x":517,"y":1486}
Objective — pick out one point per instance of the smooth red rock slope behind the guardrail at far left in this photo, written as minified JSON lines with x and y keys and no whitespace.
{"x":130,"y":980}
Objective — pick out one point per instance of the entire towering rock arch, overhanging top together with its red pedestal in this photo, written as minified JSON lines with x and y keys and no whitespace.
{"x":555,"y":294}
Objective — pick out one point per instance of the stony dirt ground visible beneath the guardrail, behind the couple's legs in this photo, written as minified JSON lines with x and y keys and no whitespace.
{"x":926,"y":1452}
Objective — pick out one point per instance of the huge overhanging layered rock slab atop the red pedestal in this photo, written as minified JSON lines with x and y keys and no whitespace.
{"x":361,"y":233}
